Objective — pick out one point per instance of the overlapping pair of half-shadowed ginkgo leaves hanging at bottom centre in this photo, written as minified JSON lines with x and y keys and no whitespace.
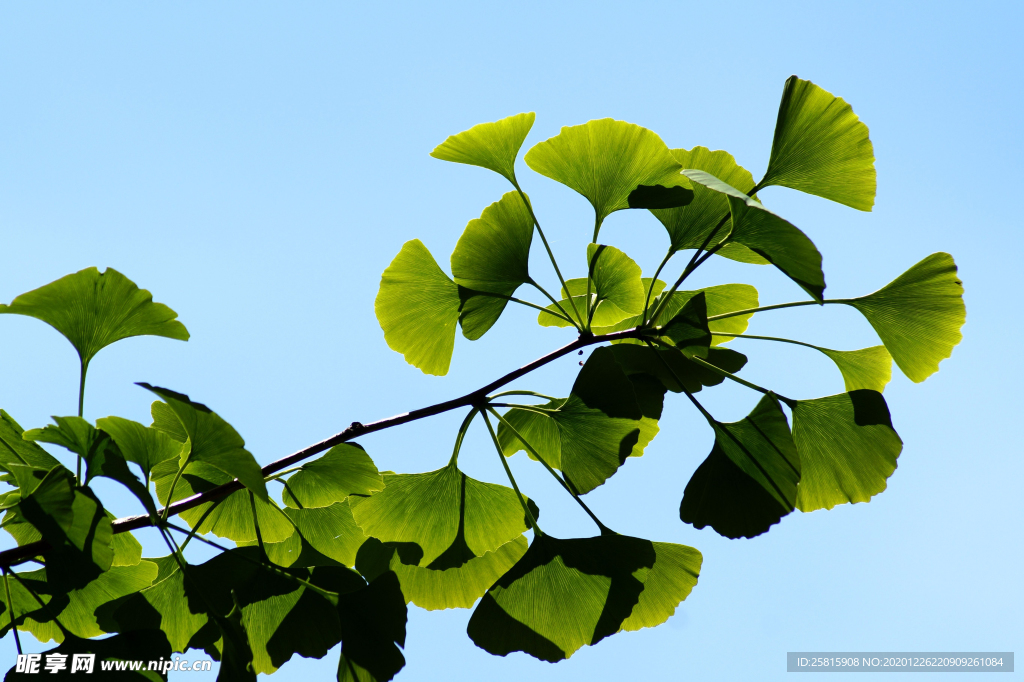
{"x":565,"y":594}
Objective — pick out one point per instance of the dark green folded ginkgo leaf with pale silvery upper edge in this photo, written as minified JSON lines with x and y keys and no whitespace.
{"x":778,"y":241}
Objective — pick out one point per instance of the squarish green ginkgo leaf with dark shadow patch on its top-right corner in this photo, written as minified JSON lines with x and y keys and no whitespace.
{"x":847,"y":446}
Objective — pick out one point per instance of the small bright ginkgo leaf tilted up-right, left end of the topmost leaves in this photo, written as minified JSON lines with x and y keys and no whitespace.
{"x":494,"y":146}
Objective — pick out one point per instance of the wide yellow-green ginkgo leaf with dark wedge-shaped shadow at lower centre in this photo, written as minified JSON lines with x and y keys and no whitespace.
{"x":451,"y":517}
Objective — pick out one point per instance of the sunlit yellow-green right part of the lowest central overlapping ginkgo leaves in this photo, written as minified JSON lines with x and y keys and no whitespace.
{"x":665,"y":586}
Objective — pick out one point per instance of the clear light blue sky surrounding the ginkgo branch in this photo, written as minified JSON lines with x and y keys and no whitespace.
{"x":258,"y":165}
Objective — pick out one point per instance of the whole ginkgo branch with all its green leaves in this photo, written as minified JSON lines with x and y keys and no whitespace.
{"x":347,"y":548}
